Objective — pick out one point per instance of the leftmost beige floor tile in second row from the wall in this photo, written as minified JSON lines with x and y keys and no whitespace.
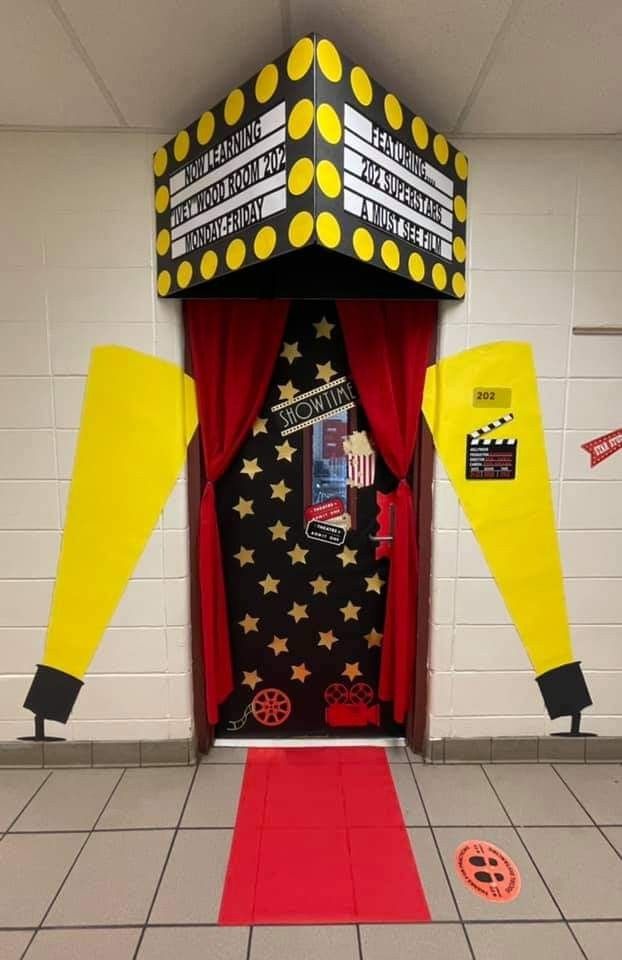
{"x":32,"y":869}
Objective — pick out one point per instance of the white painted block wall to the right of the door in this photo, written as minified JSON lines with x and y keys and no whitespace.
{"x":544,"y":246}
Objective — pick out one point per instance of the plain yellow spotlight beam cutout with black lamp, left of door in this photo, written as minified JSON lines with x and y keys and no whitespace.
{"x":138,"y":416}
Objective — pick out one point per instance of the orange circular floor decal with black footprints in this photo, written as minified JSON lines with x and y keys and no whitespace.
{"x":487,"y":871}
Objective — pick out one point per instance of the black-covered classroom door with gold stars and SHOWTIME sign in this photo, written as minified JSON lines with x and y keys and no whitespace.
{"x":305,"y":580}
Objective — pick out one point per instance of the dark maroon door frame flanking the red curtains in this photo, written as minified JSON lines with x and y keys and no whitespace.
{"x":422,"y":478}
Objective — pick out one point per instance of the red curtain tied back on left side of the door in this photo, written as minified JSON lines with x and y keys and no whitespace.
{"x":234,"y":346}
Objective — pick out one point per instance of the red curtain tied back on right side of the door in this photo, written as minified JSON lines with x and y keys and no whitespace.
{"x":388,"y":343}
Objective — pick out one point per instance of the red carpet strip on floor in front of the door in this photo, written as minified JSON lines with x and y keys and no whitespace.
{"x":320,"y":838}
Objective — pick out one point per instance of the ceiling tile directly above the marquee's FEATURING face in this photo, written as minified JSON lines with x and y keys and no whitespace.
{"x":428,"y":52}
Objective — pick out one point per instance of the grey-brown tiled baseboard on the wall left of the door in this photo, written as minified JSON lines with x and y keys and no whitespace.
{"x":98,"y":753}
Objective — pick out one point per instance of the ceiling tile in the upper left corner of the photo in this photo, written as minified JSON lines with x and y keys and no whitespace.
{"x":43,"y":80}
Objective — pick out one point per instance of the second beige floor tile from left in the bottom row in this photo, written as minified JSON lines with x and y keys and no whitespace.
{"x":80,"y":944}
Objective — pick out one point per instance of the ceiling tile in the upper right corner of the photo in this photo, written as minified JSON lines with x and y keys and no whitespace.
{"x":557,"y":70}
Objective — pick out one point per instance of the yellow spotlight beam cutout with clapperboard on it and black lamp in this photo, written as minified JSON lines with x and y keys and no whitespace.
{"x":483,"y":410}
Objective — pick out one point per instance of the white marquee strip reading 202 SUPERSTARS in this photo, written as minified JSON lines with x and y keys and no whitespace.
{"x":358,"y":179}
